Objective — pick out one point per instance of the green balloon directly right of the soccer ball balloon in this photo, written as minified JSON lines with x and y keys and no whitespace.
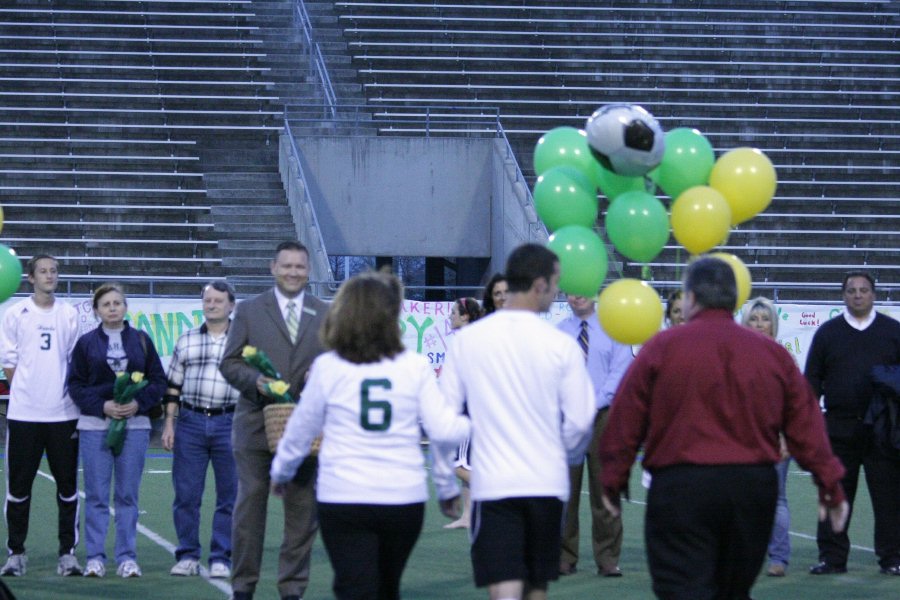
{"x":687,"y":162}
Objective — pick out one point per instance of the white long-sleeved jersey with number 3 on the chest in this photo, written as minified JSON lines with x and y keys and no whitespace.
{"x":38,"y":343}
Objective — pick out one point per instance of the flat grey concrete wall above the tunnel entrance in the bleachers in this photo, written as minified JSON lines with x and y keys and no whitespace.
{"x":402,"y":196}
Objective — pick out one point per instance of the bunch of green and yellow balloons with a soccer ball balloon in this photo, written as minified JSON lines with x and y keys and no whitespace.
{"x":623,"y":153}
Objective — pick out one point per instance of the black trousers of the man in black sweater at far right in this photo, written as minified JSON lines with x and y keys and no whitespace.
{"x":852,"y":442}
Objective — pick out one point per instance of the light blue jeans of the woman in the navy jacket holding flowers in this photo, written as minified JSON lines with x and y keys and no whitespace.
{"x":99,"y":466}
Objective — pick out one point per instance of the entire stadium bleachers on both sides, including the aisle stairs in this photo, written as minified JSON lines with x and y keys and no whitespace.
{"x":139,"y":113}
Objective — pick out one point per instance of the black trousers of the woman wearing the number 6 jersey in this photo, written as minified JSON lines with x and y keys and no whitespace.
{"x":368,"y":546}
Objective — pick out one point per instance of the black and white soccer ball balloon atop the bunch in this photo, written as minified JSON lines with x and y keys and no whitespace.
{"x":625,"y":139}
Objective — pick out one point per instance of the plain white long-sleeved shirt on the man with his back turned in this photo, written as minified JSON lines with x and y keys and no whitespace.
{"x":530,"y":399}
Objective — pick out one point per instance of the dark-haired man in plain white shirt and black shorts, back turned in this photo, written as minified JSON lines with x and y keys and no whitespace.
{"x":532,"y":406}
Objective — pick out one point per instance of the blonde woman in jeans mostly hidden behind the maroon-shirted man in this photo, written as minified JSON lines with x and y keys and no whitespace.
{"x":760,"y":314}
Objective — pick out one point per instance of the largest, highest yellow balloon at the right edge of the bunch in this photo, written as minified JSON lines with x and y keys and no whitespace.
{"x":747,"y":180}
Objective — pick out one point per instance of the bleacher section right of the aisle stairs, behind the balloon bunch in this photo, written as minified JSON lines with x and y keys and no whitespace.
{"x":813,"y":84}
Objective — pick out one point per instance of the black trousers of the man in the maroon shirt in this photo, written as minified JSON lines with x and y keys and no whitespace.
{"x":707,"y":529}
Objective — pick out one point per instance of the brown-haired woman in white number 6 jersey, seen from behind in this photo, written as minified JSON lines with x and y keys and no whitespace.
{"x":367,"y":396}
